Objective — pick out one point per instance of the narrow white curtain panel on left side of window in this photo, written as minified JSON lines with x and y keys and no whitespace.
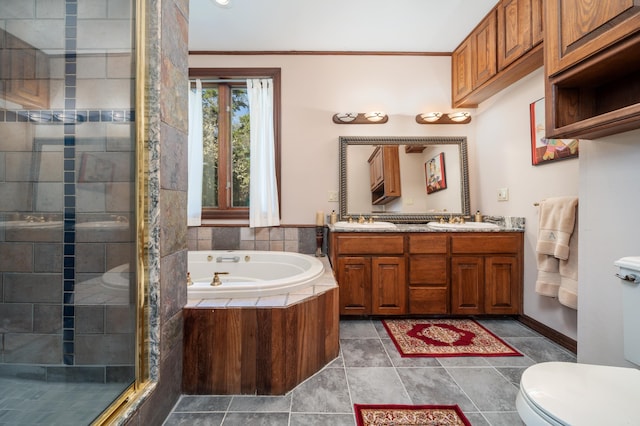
{"x":195,"y":156}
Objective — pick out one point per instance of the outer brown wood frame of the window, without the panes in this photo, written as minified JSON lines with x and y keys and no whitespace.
{"x":235,"y":73}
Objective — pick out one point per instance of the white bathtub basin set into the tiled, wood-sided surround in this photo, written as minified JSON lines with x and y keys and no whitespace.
{"x":245,"y":273}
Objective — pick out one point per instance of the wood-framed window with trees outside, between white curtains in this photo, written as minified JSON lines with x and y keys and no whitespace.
{"x":225,"y":187}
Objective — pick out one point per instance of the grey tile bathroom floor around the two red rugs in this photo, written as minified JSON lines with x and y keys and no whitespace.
{"x":369,"y":370}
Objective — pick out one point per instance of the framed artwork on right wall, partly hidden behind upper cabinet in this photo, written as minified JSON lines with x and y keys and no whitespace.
{"x":545,"y":150}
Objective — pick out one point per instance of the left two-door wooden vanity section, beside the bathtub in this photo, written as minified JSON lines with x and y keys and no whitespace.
{"x":371,"y":272}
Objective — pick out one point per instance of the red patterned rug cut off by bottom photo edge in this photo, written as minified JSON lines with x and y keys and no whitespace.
{"x":409,"y":415}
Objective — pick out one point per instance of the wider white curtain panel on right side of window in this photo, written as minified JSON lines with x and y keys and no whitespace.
{"x":263,"y":190}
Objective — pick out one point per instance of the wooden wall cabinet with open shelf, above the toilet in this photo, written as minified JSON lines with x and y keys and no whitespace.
{"x":592,"y":62}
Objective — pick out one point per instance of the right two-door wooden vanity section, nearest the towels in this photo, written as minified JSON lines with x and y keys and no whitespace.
{"x":486,"y":274}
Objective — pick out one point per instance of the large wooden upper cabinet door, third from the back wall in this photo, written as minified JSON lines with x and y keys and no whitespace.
{"x":514,"y":30}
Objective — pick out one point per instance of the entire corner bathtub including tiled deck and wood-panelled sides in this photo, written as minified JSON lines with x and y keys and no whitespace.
{"x":238,"y":342}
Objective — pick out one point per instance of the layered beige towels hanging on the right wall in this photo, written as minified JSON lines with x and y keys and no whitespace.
{"x":556,"y":250}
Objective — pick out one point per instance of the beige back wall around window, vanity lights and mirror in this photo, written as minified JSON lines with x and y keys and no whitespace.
{"x":314,"y":87}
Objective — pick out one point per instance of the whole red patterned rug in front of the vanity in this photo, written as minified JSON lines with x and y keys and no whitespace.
{"x":445,"y":338}
